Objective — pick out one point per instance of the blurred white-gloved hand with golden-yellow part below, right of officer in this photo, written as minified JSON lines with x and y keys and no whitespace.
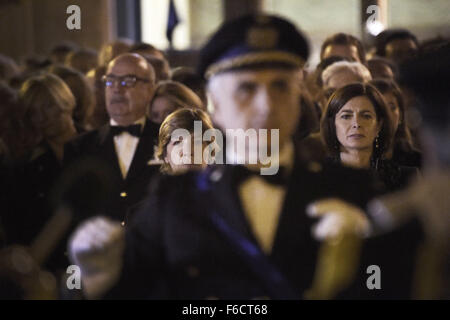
{"x":342,"y":227}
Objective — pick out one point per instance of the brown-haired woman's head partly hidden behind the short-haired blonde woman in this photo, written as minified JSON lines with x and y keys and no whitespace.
{"x":170,"y":96}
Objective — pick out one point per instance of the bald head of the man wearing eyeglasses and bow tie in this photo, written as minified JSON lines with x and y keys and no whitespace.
{"x":130,"y":85}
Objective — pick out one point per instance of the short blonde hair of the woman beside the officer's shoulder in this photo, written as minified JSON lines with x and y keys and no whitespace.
{"x":180,"y":119}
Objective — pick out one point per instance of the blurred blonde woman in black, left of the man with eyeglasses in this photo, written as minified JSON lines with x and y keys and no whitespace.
{"x":46,"y":106}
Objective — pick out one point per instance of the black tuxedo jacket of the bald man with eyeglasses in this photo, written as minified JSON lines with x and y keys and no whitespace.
{"x":97,"y":149}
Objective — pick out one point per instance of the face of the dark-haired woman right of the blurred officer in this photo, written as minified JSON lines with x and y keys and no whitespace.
{"x":356,"y":124}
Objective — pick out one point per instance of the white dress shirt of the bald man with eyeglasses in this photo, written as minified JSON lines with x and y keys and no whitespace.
{"x":125,"y":145}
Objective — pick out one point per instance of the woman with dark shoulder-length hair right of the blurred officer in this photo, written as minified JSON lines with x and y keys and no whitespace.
{"x":357,"y":130}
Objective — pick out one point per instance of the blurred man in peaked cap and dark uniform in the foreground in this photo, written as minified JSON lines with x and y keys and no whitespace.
{"x":227,"y":232}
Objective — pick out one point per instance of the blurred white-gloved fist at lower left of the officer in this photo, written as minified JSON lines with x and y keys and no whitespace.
{"x":97,"y":247}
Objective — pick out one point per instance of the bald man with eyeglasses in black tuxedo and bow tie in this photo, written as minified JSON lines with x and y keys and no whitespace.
{"x":126,"y":144}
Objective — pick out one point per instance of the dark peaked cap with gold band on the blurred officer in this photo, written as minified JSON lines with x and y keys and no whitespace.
{"x":254,"y":41}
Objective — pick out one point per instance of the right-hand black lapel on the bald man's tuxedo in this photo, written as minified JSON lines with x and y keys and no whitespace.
{"x":144,"y":150}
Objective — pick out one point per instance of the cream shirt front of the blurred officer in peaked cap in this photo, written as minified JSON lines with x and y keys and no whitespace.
{"x":262,"y":202}
